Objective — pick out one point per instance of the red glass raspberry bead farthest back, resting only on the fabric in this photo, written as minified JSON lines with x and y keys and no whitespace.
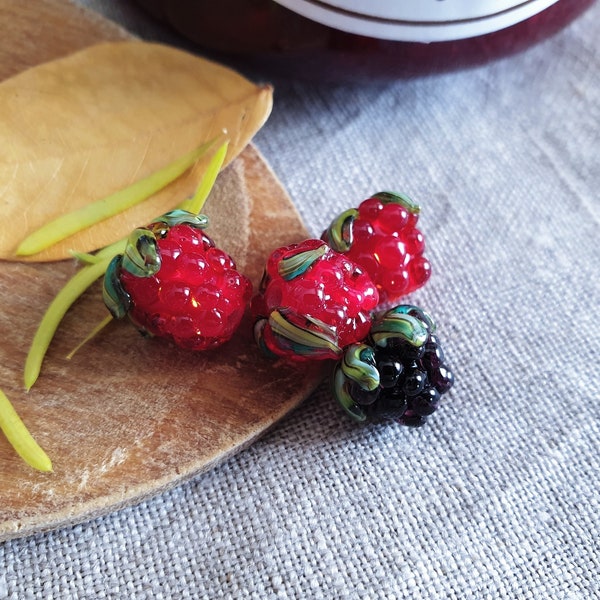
{"x":381,"y":236}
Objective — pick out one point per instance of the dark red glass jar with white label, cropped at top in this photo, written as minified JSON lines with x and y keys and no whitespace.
{"x":363,"y":39}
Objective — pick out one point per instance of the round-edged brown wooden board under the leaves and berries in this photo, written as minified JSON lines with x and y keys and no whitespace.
{"x":127,"y":417}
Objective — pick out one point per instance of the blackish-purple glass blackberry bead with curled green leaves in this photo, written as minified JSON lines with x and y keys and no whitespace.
{"x":398,"y":373}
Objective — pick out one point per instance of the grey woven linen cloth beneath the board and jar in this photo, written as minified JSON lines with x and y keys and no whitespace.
{"x":497,"y":496}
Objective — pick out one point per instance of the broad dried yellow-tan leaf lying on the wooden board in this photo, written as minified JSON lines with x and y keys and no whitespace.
{"x":80,"y":128}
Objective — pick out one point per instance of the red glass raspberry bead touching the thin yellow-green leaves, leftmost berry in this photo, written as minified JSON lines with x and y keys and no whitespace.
{"x":195,"y":297}
